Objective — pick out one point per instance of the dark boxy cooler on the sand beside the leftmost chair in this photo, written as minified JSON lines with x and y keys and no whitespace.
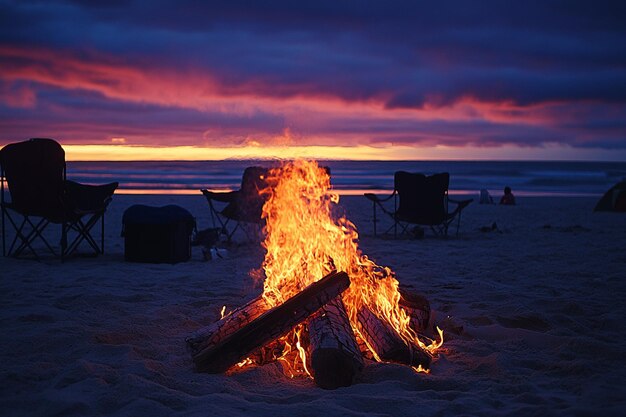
{"x":157,"y":234}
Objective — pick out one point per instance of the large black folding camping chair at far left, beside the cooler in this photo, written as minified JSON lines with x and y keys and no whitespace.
{"x":35,"y":173}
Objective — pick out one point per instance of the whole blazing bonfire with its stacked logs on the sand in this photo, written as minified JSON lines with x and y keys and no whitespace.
{"x":326,"y":307}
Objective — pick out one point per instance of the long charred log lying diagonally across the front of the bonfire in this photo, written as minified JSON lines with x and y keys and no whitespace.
{"x":229,"y":350}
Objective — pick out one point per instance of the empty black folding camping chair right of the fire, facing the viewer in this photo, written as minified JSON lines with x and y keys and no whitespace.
{"x":420,"y":200}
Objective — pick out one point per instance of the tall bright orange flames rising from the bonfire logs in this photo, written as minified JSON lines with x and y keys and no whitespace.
{"x":305,"y":240}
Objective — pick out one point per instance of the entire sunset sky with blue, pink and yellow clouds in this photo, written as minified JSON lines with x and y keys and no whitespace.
{"x":154,"y":79}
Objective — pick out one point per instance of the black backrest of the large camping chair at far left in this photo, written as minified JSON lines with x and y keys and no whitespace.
{"x":35,"y":173}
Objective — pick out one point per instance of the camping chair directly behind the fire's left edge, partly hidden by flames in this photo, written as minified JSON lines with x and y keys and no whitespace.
{"x":242,"y":207}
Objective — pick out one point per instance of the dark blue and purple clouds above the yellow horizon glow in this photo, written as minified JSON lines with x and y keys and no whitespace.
{"x":401,"y":55}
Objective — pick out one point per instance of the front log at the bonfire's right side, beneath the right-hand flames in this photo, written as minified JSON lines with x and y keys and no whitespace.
{"x":386,"y":343}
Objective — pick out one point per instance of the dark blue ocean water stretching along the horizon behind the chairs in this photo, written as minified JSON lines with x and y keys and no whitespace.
{"x":526,"y":178}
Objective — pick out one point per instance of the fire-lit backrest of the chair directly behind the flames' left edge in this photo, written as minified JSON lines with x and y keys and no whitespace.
{"x":249,"y":203}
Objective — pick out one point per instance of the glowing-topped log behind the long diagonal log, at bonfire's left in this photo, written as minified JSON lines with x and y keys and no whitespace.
{"x":221,"y":329}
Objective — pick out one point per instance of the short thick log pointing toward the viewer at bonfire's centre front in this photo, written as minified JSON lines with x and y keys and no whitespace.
{"x":335,"y":356}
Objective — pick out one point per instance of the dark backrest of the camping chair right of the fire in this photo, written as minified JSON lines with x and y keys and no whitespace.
{"x":422,"y":199}
